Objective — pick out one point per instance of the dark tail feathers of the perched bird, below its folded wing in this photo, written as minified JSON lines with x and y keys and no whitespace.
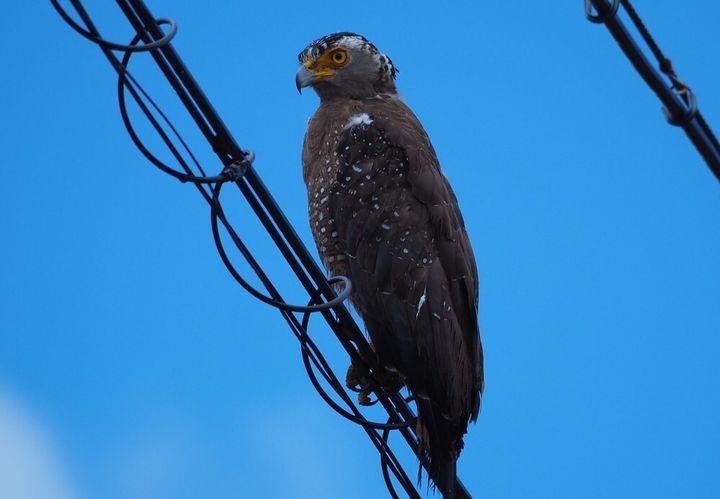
{"x":440,"y":442}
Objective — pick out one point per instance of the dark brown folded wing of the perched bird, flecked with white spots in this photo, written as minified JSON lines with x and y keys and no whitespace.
{"x":410,"y":259}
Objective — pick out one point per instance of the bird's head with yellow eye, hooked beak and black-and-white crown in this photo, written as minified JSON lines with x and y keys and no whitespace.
{"x":345,"y":65}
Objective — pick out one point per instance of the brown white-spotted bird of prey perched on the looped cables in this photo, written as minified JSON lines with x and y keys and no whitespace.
{"x":383,"y":214}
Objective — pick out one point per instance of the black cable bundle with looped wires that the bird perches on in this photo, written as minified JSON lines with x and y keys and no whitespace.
{"x":238,"y":169}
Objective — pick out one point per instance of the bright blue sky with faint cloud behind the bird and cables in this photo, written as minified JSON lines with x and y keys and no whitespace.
{"x":131,"y":365}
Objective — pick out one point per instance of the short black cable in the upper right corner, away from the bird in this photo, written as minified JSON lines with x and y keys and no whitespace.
{"x":679,"y":101}
